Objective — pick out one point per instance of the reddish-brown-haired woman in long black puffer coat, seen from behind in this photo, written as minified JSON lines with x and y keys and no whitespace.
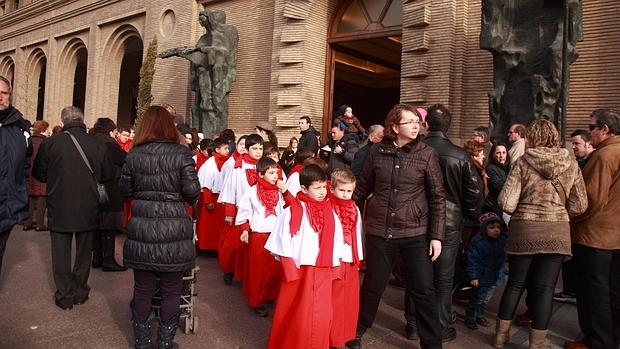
{"x":160,"y":176}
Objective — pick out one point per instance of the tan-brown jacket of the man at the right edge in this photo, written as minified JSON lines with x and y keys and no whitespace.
{"x":599,"y":227}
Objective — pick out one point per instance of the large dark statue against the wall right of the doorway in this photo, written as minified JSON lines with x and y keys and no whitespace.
{"x":533,"y":45}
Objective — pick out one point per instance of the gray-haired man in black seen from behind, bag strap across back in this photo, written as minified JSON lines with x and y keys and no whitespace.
{"x":72,"y":202}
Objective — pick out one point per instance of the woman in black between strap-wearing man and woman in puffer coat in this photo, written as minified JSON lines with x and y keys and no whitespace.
{"x":110,"y":215}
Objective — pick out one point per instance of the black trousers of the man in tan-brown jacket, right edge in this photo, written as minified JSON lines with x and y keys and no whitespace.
{"x":598,"y":295}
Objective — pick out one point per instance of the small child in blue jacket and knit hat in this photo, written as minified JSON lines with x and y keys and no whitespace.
{"x":484,"y":258}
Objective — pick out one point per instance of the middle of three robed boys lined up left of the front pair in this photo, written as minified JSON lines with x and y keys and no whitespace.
{"x":236,"y":184}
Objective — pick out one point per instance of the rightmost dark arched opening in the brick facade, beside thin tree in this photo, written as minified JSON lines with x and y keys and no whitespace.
{"x":129,"y":81}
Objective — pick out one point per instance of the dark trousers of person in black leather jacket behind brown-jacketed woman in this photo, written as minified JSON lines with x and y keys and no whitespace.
{"x":443,"y":271}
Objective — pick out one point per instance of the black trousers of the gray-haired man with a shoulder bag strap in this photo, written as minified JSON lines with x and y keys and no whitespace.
{"x":71,"y":283}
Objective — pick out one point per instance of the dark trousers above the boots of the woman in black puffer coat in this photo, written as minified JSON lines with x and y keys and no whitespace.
{"x":145,"y":284}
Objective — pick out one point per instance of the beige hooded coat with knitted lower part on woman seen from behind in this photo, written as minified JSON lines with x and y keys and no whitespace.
{"x":541,"y":210}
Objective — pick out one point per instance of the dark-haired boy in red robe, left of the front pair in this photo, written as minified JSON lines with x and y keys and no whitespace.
{"x":309,"y":243}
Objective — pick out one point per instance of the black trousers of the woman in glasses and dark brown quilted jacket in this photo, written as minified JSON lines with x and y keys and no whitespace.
{"x":380,"y":258}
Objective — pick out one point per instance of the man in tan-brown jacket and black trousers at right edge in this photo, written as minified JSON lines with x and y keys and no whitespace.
{"x":596,"y":238}
